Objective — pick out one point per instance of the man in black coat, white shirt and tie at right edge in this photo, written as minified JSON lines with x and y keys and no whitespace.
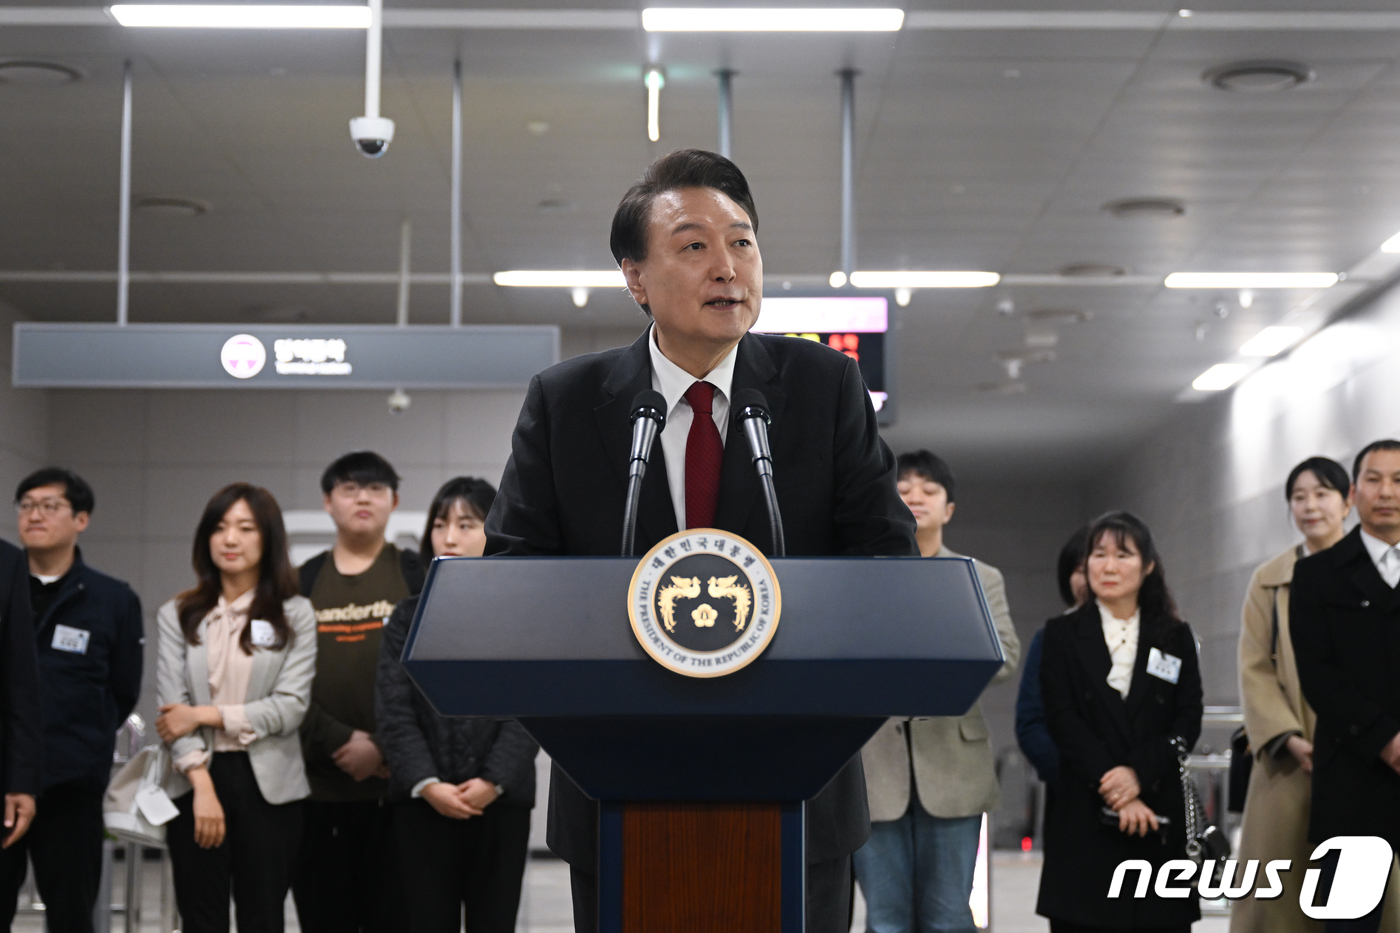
{"x":1345,"y":609}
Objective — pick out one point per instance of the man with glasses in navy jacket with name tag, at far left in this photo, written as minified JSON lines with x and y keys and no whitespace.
{"x":89,"y":638}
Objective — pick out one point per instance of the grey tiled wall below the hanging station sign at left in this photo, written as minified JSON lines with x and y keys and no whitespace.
{"x":156,"y":457}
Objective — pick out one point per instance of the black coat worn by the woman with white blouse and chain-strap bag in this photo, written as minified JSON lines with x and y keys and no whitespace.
{"x":1095,"y":731}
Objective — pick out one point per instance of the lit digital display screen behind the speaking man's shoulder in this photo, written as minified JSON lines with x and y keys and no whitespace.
{"x":856,"y":326}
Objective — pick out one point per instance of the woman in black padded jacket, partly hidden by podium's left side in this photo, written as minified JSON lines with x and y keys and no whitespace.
{"x":463,"y":788}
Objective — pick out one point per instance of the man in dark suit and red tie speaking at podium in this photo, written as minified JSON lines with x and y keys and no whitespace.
{"x":687,"y":240}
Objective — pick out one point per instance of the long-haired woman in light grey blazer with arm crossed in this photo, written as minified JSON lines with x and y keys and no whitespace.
{"x":233,"y":680}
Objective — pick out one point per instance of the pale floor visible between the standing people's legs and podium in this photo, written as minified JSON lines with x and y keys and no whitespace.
{"x":545,"y":907}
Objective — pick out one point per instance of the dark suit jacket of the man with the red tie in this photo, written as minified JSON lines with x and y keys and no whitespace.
{"x":566,"y":481}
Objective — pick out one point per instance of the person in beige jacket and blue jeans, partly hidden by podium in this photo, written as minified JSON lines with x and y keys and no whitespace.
{"x":918,"y":868}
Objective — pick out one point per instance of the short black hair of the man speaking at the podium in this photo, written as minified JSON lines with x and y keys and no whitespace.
{"x":682,"y":169}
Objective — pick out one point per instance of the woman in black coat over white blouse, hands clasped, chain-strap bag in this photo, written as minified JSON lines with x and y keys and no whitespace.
{"x":1122,"y":682}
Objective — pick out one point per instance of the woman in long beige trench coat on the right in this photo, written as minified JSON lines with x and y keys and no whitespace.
{"x":1277,"y":719}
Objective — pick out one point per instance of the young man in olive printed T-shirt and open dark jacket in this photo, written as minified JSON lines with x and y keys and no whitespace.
{"x":348,"y":878}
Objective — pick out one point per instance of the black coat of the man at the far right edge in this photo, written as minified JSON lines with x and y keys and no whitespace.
{"x":1346,"y":628}
